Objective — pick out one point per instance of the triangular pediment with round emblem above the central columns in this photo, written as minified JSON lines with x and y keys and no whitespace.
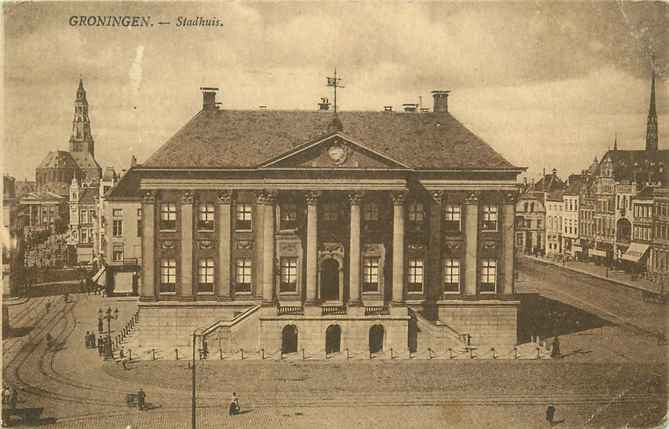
{"x":336,"y":150}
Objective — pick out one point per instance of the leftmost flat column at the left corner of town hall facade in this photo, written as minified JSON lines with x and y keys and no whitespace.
{"x":148,"y":290}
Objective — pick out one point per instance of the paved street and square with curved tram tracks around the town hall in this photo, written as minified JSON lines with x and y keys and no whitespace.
{"x":610,"y":375}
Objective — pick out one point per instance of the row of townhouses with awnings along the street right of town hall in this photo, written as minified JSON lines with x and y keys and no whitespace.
{"x":613,"y":212}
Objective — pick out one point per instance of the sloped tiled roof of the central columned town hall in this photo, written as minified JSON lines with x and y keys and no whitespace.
{"x":246,"y":139}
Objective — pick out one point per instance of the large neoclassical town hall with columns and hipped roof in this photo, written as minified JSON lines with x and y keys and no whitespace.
{"x":324,"y":231}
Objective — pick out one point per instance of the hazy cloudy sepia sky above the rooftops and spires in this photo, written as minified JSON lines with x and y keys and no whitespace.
{"x":548,"y":85}
